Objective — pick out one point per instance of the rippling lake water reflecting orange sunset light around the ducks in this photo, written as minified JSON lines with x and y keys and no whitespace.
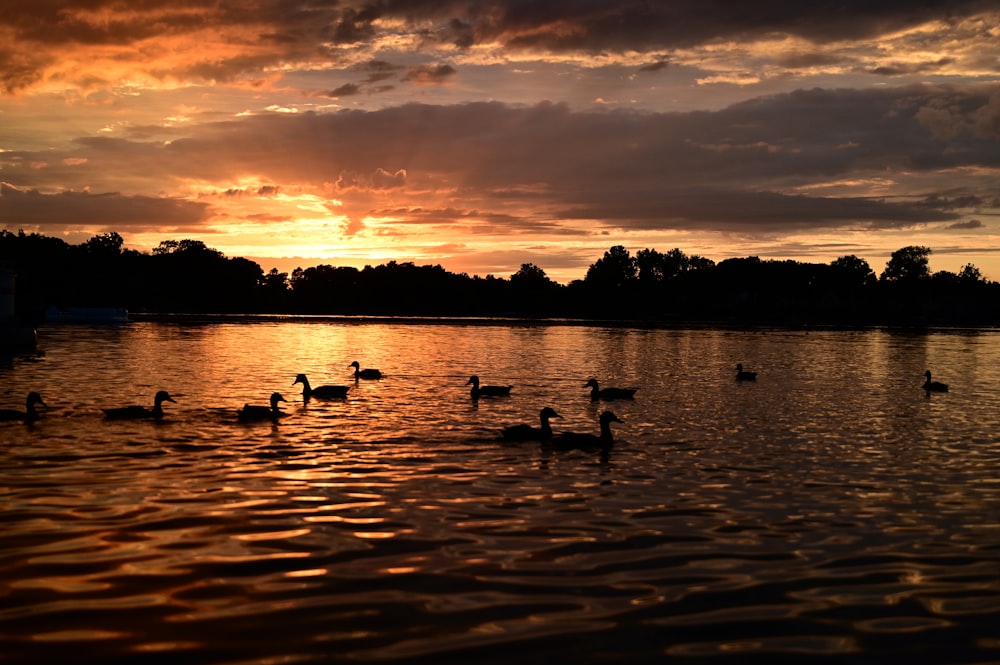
{"x":831,"y":511}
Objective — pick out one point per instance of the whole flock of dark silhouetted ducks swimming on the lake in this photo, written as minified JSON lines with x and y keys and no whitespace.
{"x":521,"y":432}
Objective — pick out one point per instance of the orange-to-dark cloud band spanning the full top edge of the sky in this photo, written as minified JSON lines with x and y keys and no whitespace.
{"x":251,"y":37}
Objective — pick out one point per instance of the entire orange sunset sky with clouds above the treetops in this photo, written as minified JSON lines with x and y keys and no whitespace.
{"x":484,"y":135}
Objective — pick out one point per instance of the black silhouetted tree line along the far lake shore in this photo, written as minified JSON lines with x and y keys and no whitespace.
{"x":186,"y":276}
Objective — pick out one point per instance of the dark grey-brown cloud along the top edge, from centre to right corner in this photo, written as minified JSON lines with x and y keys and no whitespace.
{"x":643,"y":25}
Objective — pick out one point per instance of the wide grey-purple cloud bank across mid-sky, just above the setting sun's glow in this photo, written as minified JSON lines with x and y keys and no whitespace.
{"x":749,"y":166}
